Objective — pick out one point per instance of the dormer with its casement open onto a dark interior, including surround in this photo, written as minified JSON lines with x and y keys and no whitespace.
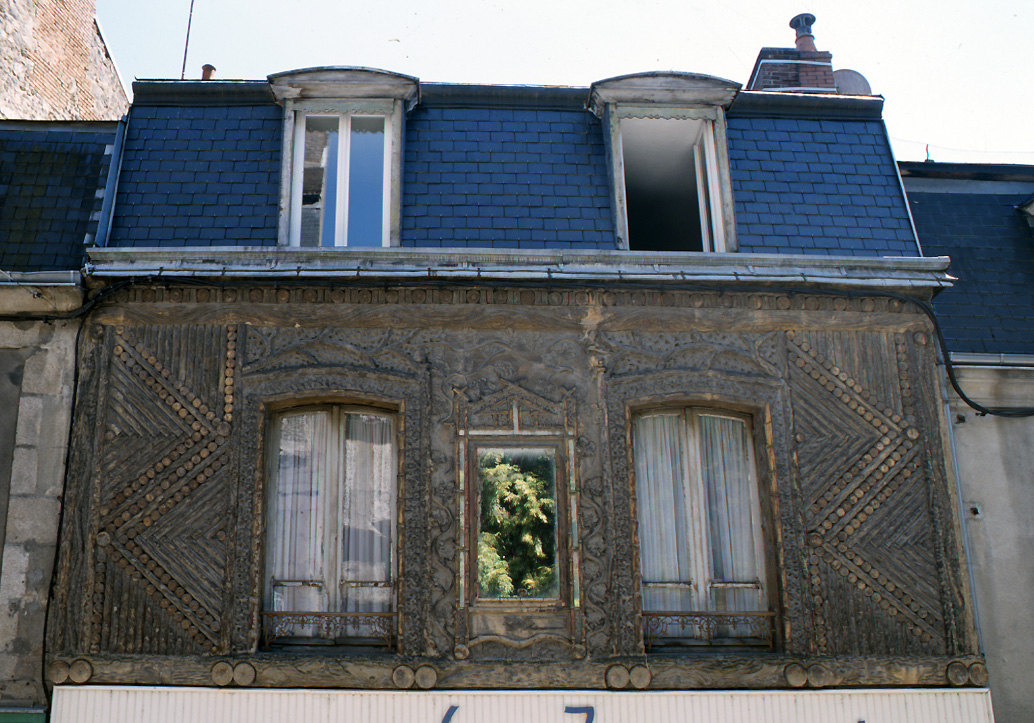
{"x":670,"y":161}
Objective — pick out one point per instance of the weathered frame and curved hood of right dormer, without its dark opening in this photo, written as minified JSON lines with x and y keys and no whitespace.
{"x":674,"y":97}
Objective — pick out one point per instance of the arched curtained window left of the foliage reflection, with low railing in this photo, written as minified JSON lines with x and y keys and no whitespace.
{"x":331,"y":528}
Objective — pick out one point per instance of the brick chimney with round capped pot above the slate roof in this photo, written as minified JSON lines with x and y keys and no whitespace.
{"x":800,"y":70}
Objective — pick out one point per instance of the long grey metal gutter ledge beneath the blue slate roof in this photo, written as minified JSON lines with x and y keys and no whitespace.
{"x":917,"y":277}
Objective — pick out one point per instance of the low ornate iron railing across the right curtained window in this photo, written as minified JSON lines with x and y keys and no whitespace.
{"x":749,"y":629}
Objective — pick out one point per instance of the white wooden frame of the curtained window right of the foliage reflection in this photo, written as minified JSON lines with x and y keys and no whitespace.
{"x":697,"y":535}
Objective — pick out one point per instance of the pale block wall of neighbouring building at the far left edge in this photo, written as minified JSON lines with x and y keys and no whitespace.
{"x":37,"y":361}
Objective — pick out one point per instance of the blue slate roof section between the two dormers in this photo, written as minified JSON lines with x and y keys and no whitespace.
{"x":503,"y":178}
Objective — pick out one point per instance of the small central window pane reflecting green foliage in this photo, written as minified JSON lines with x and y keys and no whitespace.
{"x":518,"y":531}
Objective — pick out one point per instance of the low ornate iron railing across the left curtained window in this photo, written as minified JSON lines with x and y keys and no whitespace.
{"x":333,"y":627}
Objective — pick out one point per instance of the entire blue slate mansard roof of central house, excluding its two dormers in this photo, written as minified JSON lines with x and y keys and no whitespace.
{"x":509,"y":168}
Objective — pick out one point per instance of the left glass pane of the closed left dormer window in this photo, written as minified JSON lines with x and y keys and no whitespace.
{"x":320,"y":182}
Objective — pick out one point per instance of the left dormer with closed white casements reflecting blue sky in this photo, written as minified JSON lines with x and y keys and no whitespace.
{"x":342,"y":156}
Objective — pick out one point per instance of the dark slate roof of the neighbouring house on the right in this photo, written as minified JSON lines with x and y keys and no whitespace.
{"x":970,"y":213}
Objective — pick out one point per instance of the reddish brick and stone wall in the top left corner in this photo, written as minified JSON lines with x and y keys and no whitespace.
{"x":54,"y":65}
